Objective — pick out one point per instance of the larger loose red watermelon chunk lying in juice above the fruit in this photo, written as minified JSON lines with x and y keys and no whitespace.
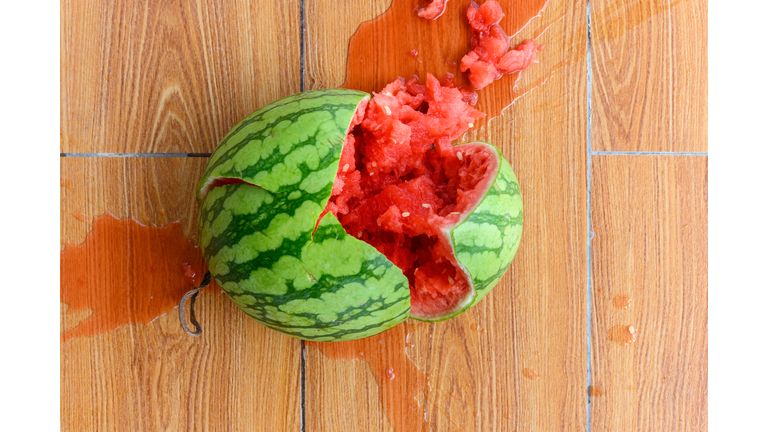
{"x":491,"y":57}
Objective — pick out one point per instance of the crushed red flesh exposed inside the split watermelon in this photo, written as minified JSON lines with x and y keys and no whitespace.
{"x":401,"y":186}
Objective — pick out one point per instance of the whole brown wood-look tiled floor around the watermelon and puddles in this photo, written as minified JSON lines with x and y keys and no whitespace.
{"x":601,"y":322}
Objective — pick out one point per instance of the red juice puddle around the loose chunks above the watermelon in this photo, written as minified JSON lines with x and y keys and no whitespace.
{"x":379,"y":51}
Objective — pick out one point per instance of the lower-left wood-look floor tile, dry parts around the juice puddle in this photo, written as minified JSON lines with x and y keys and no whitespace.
{"x":153,"y":376}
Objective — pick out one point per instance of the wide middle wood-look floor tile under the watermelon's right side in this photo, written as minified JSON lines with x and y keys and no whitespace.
{"x":470,"y":373}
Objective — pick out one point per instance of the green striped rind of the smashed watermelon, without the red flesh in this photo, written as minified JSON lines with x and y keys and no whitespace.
{"x":261,"y":195}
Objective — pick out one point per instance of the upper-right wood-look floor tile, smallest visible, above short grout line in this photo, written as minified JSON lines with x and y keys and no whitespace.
{"x":649,"y":61}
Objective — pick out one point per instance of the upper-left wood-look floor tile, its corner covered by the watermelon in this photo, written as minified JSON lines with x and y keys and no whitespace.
{"x":171,"y":76}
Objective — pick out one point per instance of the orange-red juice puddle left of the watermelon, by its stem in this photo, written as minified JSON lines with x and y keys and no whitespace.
{"x":126,"y":273}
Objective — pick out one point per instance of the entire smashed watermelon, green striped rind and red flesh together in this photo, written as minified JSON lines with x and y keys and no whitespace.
{"x":330,"y":215}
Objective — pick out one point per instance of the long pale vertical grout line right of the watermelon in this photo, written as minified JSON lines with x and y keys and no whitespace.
{"x":590,"y":234}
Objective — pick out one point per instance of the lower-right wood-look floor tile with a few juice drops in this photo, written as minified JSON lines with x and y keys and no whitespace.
{"x":650,"y":223}
